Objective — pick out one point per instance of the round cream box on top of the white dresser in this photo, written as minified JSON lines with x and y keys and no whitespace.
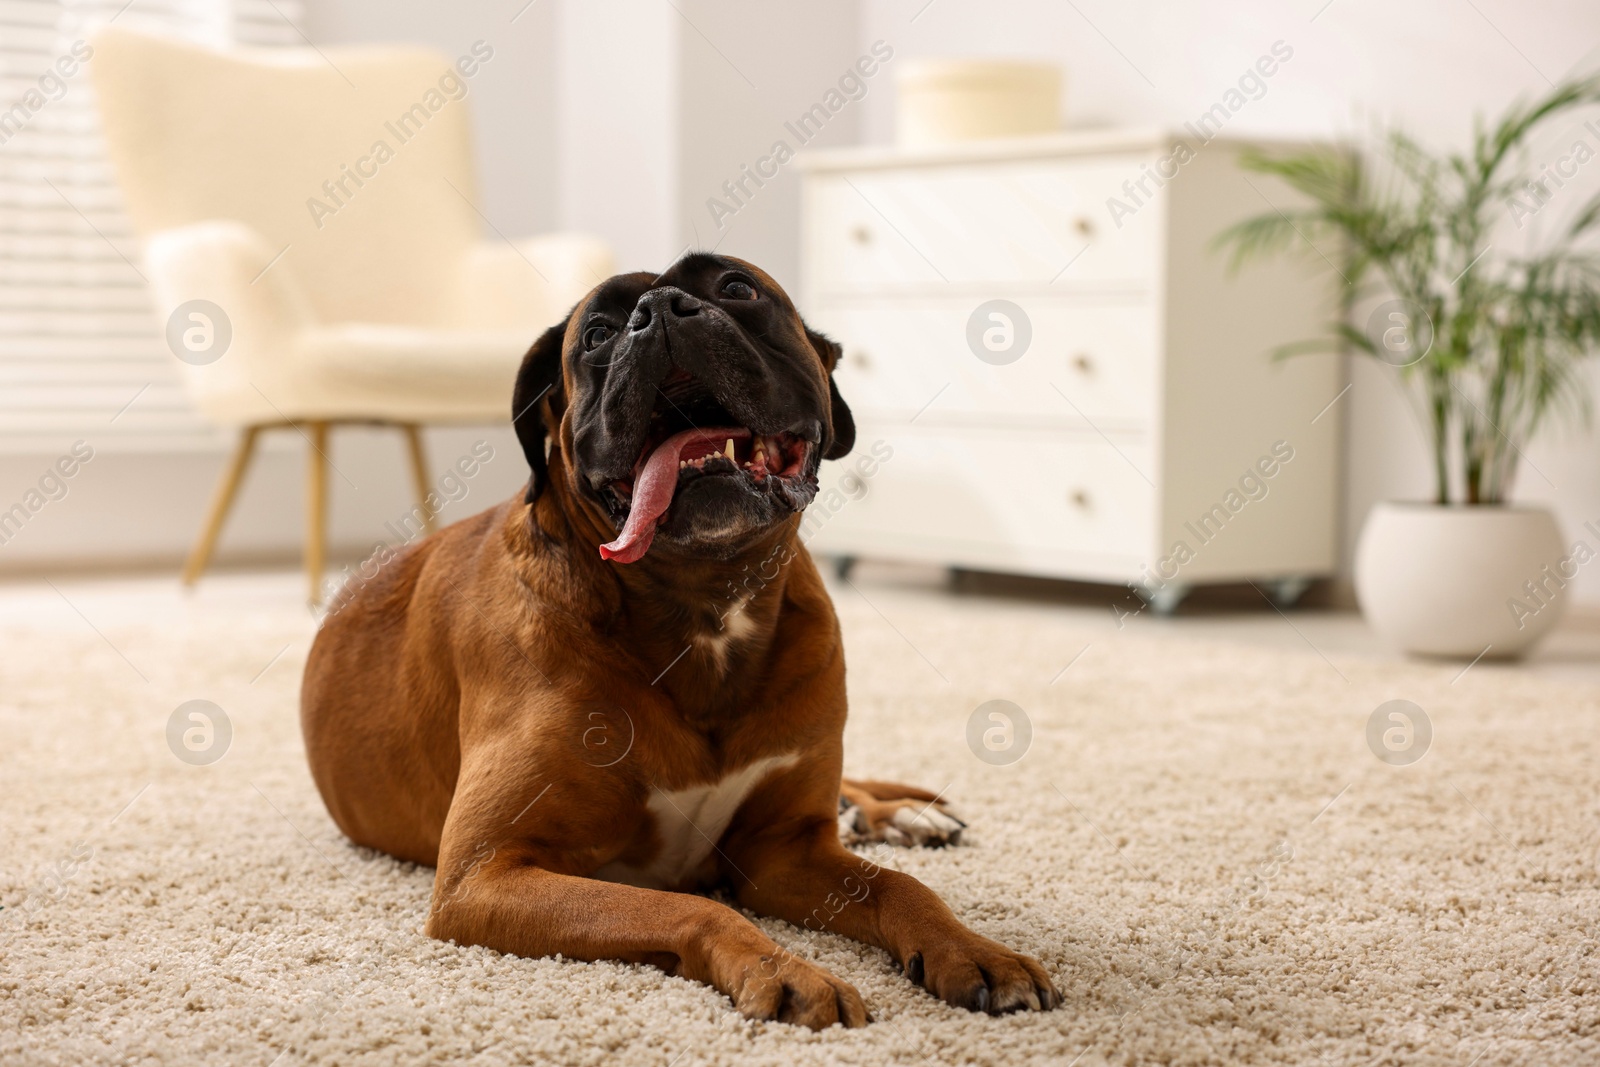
{"x":966,"y":100}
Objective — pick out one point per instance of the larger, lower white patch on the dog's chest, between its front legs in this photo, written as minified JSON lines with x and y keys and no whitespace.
{"x":690,"y":823}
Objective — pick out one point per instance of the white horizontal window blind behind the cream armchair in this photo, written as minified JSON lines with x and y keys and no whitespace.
{"x":81,"y":351}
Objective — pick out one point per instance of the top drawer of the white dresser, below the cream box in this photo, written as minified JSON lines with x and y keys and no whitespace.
{"x":1002,"y":223}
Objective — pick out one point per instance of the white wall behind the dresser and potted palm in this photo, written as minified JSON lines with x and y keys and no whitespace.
{"x":1428,"y":65}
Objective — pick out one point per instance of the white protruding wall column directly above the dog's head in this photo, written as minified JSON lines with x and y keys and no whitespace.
{"x":663,"y":103}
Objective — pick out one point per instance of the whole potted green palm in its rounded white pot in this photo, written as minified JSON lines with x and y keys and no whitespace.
{"x":1487,"y":342}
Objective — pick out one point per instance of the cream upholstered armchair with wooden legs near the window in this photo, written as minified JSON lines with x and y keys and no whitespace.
{"x":321,"y":210}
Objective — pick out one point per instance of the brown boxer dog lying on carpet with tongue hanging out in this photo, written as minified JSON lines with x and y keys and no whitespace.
{"x":582,"y":706}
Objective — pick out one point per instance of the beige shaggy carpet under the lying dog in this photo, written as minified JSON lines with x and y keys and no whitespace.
{"x":1167,"y":849}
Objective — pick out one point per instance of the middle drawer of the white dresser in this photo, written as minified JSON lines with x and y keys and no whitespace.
{"x":906,"y":361}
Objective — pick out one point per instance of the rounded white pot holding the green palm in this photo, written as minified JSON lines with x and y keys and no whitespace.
{"x":1447,"y":581}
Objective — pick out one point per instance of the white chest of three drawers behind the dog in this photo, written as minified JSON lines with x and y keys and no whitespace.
{"x":1143,"y":436}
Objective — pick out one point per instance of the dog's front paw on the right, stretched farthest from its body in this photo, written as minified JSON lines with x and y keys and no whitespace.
{"x":983,"y":975}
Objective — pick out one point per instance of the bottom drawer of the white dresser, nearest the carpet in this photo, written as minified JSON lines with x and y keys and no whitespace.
{"x":996,"y":492}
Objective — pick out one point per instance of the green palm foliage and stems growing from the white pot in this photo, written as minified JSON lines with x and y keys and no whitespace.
{"x":1510,"y":334}
